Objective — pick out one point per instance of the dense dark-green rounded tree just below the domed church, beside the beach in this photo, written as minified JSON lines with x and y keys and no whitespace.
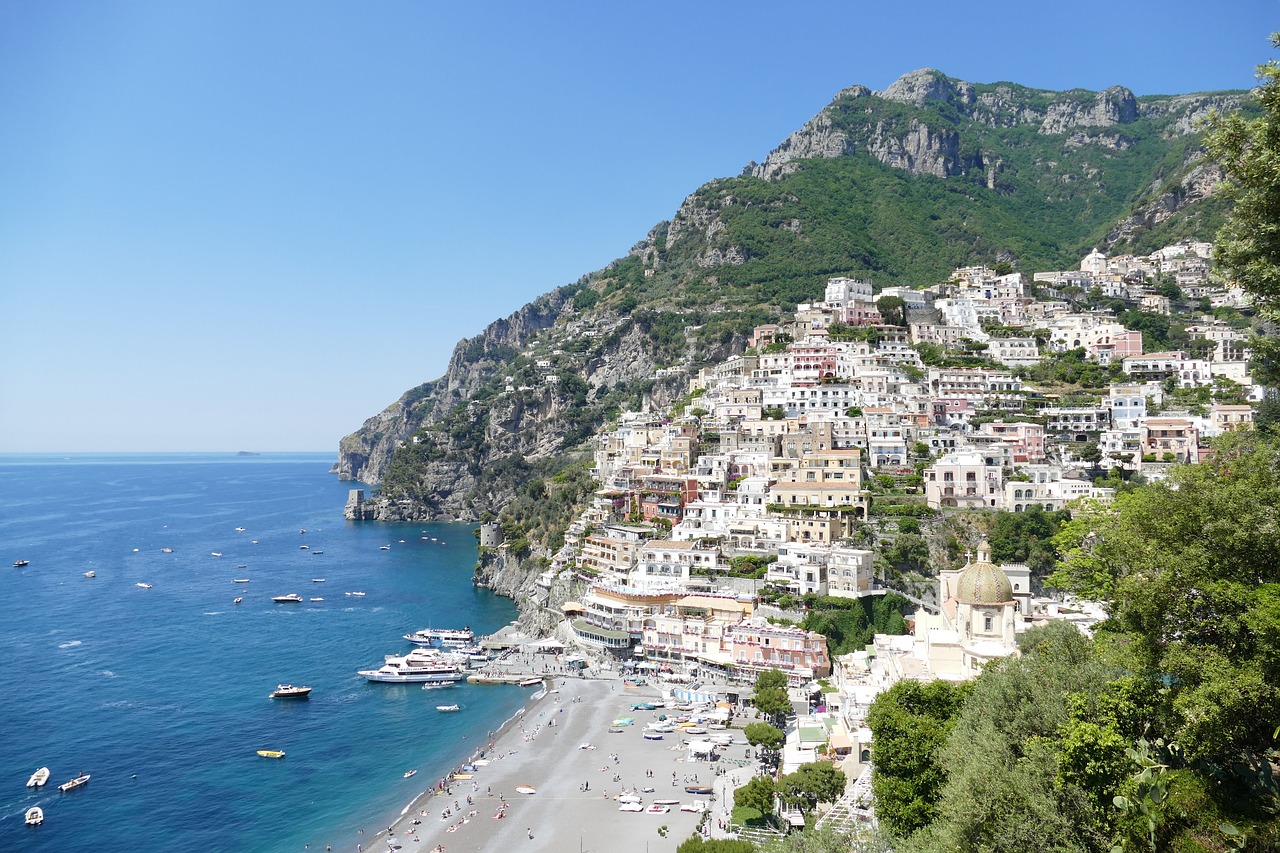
{"x":911,"y":723}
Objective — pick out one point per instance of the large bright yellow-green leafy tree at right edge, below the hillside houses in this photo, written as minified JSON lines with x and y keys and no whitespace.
{"x":1192,"y":572}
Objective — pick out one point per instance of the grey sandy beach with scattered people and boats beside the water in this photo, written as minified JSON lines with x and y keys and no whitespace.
{"x":575,"y":806}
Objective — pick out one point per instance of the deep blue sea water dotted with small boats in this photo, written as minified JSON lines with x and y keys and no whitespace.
{"x":162,"y":694}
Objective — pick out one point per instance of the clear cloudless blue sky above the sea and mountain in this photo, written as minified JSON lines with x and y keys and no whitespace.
{"x":252,"y":225}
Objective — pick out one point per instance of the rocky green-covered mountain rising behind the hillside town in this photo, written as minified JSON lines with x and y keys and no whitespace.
{"x":899,"y":186}
